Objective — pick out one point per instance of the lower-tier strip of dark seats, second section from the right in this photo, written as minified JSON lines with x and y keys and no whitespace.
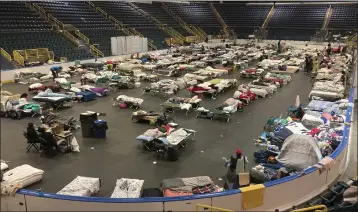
{"x":290,"y":34}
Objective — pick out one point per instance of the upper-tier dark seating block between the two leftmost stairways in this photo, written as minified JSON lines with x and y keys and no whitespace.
{"x":76,"y":13}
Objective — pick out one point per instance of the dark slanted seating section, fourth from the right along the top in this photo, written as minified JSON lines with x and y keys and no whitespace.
{"x":197,"y":14}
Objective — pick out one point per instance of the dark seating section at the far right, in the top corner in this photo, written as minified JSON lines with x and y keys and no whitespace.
{"x":344,"y":16}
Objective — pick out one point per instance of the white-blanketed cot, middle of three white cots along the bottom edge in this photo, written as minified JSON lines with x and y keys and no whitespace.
{"x":81,"y":186}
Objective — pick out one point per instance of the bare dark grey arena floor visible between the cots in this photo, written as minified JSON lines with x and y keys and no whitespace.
{"x":119,"y":156}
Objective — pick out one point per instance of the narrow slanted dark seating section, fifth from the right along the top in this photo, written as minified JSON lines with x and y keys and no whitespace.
{"x":156,"y":11}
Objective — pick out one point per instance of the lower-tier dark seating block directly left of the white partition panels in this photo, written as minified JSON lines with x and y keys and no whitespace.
{"x":103,"y":38}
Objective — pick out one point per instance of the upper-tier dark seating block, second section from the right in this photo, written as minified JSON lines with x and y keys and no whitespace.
{"x":298,"y":16}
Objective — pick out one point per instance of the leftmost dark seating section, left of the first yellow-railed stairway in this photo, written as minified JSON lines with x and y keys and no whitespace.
{"x":22,"y":28}
